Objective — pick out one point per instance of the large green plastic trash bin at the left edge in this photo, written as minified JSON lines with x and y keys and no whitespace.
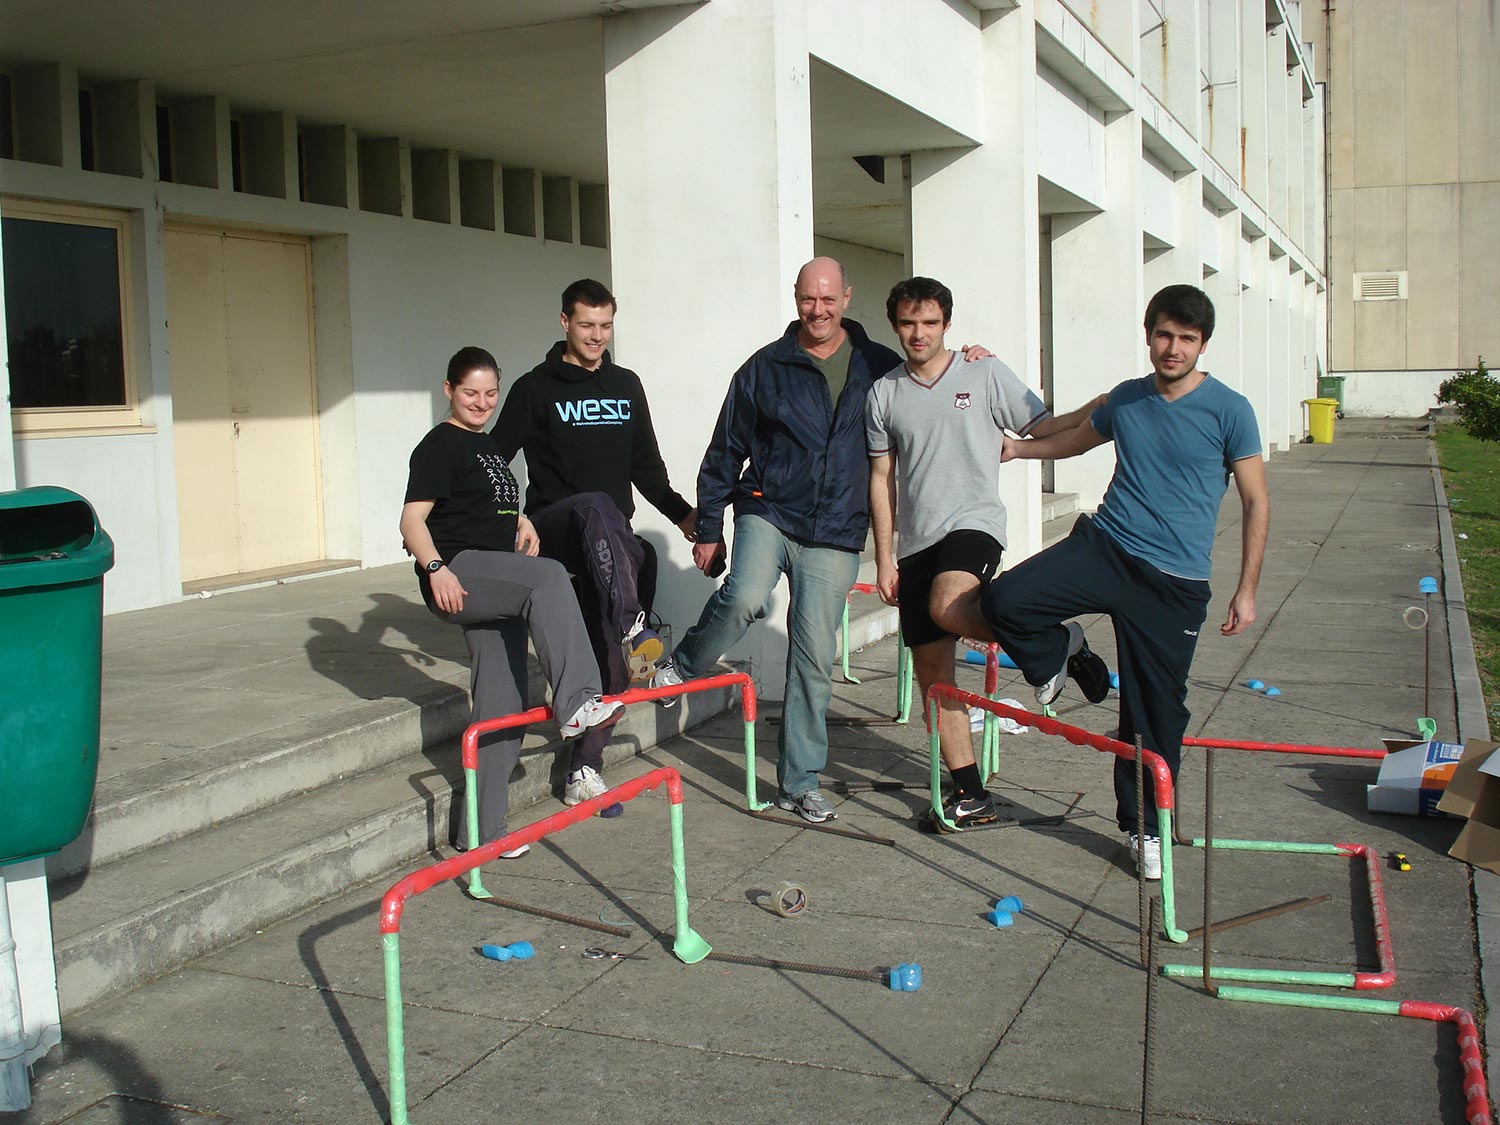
{"x":53,"y":557}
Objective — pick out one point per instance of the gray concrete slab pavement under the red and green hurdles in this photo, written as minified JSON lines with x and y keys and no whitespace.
{"x":1037,"y":1024}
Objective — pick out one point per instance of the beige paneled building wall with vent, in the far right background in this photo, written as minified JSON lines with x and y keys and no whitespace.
{"x":1414,"y":176}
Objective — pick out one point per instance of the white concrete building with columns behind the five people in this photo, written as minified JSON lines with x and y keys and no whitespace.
{"x":239,"y":250}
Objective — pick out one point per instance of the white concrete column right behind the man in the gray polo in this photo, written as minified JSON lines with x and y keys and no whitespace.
{"x":988,"y":253}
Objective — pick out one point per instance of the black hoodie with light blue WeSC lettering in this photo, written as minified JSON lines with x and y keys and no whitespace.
{"x":586,"y":431}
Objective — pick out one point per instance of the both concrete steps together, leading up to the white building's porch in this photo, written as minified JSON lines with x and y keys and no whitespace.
{"x":184,"y":860}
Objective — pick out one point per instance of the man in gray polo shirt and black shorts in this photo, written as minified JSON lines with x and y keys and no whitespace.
{"x":944,"y":421}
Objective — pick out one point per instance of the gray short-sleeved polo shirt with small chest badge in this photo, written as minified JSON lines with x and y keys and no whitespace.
{"x":946,"y":437}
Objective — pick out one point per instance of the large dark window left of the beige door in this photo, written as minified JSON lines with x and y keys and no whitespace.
{"x":62,"y":310}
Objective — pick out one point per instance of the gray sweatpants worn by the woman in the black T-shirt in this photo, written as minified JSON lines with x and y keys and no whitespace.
{"x":508,"y":598}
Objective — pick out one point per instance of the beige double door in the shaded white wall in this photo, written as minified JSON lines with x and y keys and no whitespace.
{"x":244,"y":407}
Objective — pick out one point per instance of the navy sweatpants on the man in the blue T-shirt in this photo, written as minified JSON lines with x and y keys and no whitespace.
{"x":1157,"y":619}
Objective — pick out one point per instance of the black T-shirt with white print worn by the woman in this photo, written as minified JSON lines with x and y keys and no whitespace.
{"x":475,"y":496}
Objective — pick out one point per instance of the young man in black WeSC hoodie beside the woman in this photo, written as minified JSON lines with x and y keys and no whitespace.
{"x":586,"y":430}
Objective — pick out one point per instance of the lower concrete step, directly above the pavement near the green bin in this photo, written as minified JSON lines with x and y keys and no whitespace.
{"x":124,"y":923}
